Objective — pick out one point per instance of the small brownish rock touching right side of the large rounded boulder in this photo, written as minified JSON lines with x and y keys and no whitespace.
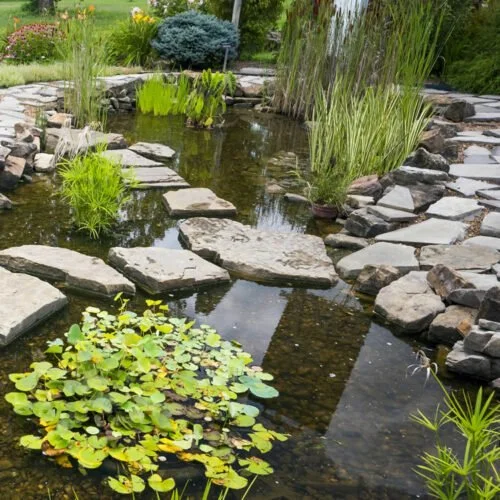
{"x":449,"y":327}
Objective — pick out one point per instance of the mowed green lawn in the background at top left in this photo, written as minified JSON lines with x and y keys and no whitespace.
{"x":107,"y":11}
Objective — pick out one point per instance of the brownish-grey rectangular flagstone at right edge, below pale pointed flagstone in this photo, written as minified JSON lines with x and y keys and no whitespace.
{"x":458,"y":257}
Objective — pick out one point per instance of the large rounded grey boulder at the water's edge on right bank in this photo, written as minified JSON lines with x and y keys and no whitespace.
{"x":409,"y":303}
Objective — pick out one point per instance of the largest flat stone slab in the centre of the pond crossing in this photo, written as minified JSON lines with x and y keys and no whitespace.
{"x":262,"y":256}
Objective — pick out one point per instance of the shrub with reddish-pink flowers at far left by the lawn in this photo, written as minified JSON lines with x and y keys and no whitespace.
{"x":32,"y":43}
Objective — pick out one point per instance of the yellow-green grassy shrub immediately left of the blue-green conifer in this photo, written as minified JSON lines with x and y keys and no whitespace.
{"x":130,"y":42}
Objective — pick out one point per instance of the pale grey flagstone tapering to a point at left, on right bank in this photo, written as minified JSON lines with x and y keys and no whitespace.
{"x":429,"y":232}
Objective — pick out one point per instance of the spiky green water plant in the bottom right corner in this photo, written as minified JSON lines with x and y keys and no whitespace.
{"x":474,"y":474}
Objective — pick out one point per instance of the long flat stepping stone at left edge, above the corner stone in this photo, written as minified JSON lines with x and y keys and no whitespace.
{"x":79,"y":272}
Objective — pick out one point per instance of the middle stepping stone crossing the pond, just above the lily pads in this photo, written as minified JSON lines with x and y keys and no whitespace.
{"x":160,"y":270}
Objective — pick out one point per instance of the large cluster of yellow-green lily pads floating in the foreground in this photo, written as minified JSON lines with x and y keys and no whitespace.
{"x":140,"y":389}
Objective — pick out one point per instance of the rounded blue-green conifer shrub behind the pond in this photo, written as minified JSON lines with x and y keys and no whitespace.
{"x":196,"y":40}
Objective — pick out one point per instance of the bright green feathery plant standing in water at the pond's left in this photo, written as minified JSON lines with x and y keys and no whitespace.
{"x":95,"y":189}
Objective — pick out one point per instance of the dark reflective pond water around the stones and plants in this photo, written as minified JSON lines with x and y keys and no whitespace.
{"x":344,"y":395}
